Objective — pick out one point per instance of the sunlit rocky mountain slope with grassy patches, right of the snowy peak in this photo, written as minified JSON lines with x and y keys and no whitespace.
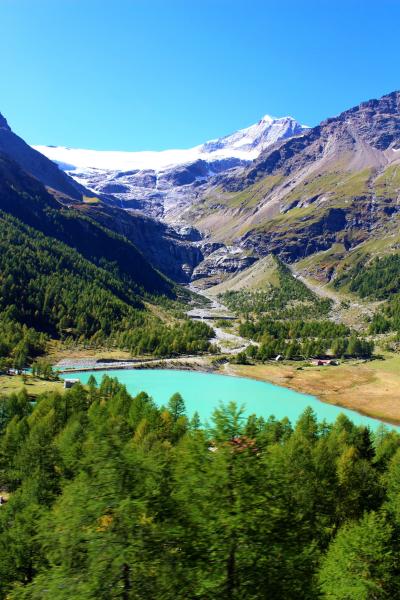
{"x":337,"y":183}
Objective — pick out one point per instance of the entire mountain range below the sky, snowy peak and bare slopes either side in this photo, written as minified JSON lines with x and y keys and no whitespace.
{"x":309,"y":195}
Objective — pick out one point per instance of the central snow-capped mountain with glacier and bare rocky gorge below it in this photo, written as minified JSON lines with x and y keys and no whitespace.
{"x":155,"y":187}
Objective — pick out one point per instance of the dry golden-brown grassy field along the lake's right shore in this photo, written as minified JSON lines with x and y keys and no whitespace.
{"x":371,"y":388}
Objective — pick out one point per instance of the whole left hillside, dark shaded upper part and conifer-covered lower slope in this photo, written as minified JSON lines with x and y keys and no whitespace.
{"x":64,"y":276}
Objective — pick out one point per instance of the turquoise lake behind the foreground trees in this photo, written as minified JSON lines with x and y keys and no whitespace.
{"x":204,"y":392}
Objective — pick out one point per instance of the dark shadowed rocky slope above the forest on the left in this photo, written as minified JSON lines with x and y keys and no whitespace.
{"x":175,"y":252}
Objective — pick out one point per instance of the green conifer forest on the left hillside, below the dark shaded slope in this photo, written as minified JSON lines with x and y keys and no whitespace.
{"x":50,"y":288}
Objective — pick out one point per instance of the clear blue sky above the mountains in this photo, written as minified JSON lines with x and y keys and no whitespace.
{"x":154,"y":74}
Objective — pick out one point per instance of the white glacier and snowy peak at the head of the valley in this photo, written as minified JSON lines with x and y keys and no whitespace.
{"x":158,"y":182}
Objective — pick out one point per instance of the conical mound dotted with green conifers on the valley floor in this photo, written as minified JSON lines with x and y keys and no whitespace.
{"x":286,"y":318}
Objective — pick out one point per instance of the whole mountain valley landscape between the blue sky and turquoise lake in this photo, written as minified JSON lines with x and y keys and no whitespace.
{"x":279,"y":240}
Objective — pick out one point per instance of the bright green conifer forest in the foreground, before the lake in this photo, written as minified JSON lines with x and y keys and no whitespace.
{"x":112,"y":497}
